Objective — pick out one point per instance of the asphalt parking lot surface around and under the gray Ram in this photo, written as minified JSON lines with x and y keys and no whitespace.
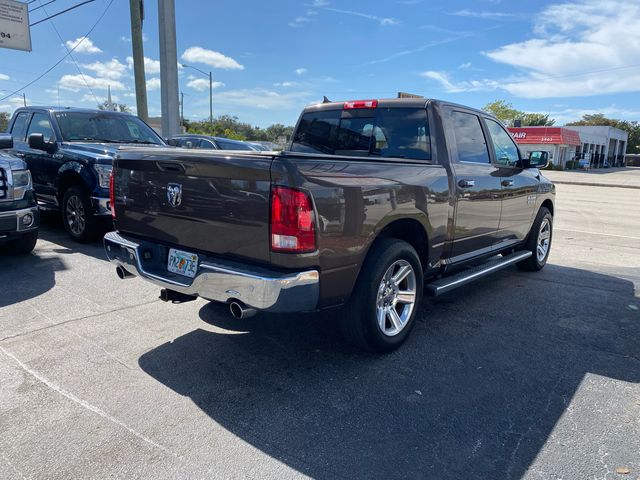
{"x":532,"y":375}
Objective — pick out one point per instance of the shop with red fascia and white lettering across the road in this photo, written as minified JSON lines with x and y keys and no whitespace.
{"x":562,"y":143}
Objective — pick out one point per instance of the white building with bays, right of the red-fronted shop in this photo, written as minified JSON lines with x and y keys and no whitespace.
{"x":602,"y":144}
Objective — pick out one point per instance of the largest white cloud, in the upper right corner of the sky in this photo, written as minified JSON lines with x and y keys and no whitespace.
{"x":580,"y":51}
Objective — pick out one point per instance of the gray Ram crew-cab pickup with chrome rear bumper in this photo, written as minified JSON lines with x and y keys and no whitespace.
{"x":372,"y":203}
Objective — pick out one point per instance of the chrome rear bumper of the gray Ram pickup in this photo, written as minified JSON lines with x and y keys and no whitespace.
{"x":216,"y":280}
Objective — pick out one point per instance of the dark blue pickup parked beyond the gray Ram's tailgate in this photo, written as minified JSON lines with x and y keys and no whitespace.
{"x":69,"y":152}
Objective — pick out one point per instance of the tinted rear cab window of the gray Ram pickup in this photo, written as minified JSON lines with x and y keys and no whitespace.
{"x":374,"y":132}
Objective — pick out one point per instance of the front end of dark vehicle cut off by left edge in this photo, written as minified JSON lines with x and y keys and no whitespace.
{"x":19,"y":216}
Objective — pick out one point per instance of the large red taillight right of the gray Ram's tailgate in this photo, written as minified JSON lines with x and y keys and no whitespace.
{"x":292,"y":225}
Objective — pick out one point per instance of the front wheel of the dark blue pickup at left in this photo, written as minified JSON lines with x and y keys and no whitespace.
{"x":77,"y":215}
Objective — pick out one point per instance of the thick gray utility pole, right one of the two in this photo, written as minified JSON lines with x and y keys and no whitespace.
{"x":168,"y":67}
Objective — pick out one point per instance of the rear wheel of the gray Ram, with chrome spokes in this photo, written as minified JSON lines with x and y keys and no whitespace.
{"x":383,"y":306}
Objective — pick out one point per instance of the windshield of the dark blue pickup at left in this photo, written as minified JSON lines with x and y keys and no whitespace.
{"x":105,"y":128}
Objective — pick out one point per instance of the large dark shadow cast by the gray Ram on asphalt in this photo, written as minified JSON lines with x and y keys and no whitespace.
{"x":474,"y":393}
